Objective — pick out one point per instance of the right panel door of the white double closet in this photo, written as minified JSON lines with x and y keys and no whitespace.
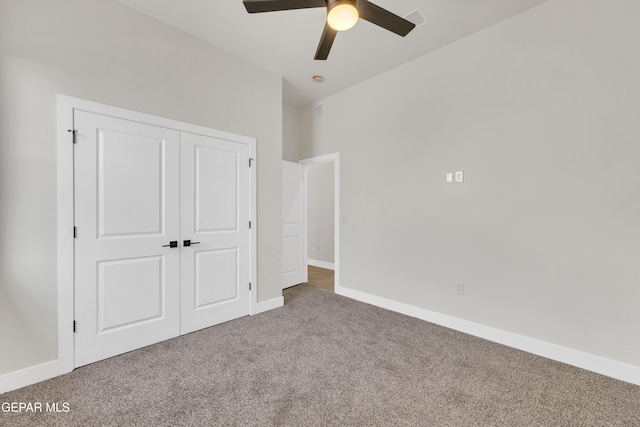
{"x":215,"y":200}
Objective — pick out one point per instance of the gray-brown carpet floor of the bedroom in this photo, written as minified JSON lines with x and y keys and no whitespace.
{"x":326,"y":360}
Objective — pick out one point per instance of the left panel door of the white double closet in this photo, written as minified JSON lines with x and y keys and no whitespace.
{"x":126,"y":211}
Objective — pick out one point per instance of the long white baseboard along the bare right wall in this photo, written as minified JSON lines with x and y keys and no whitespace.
{"x":590,"y":362}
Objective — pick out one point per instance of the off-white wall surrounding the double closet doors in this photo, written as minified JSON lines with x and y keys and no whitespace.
{"x":103,"y":51}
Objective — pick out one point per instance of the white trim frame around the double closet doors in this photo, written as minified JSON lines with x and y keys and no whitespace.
{"x":66,"y":106}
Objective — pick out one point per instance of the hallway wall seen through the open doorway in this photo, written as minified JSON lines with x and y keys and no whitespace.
{"x":320,"y":212}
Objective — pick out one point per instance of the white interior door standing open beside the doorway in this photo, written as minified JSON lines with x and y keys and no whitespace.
{"x":293,"y":266}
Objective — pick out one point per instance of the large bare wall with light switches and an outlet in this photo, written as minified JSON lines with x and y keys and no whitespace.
{"x":541,"y":112}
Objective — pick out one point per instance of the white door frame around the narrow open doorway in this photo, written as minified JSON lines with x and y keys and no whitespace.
{"x":335,"y":158}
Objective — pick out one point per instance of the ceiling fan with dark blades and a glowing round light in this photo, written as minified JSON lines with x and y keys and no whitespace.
{"x":341,"y":15}
